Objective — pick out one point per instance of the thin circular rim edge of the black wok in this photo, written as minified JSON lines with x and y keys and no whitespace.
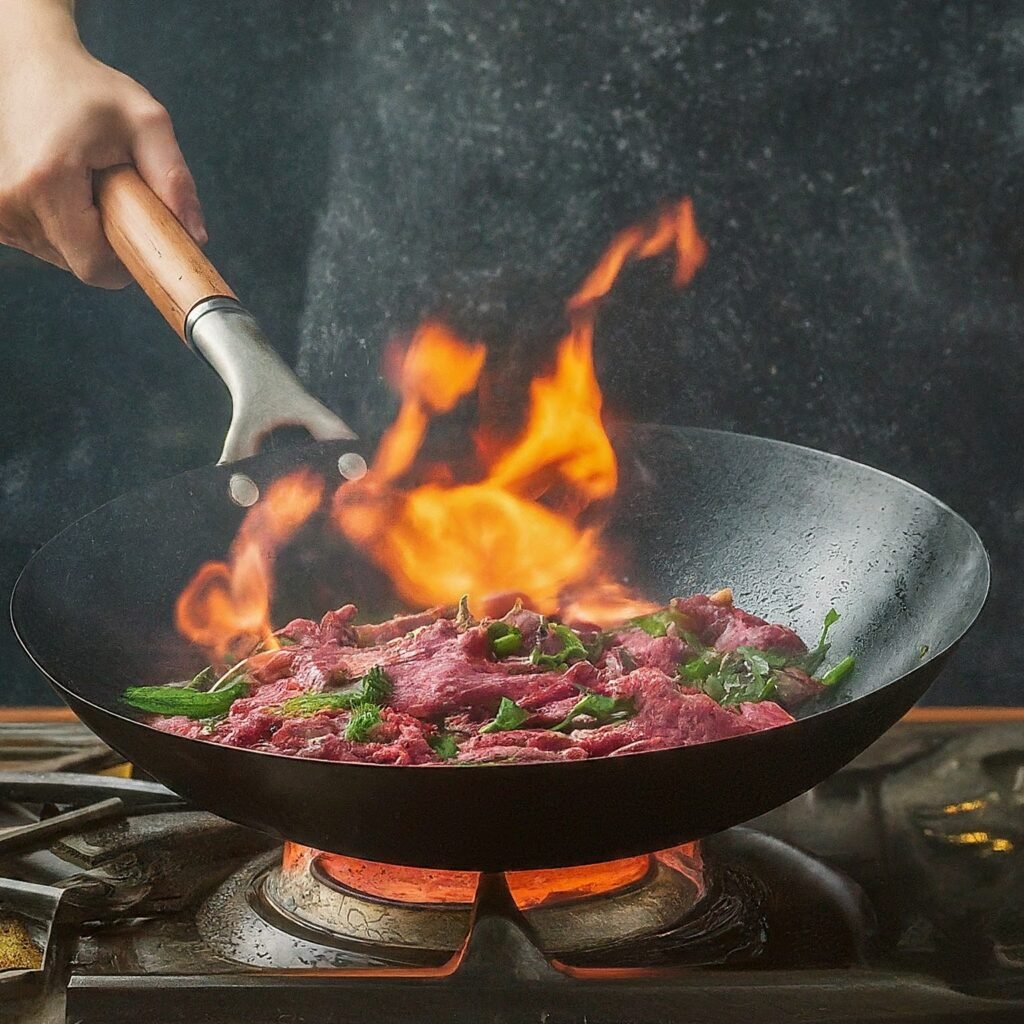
{"x":938,"y":653}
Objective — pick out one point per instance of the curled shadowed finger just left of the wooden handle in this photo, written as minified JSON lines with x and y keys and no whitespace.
{"x":71,"y":222}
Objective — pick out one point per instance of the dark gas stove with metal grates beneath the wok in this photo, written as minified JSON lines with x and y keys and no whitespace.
{"x":894,"y":891}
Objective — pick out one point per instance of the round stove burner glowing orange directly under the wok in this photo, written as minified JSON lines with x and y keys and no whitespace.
{"x":301,"y":898}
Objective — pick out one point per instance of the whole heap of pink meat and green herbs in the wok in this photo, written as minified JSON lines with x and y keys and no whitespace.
{"x":444,"y":688}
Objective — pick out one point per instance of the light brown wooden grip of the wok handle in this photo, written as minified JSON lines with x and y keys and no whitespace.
{"x":157,"y":250}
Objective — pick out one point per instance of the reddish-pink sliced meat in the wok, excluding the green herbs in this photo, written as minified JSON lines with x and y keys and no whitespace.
{"x":445,"y":674}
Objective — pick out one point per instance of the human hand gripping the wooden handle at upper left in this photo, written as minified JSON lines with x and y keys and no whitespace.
{"x":63,"y":116}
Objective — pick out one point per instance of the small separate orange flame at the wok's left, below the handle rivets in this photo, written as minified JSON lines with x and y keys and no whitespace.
{"x":227,"y":606}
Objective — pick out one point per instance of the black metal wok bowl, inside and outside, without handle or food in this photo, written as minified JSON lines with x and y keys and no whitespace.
{"x":791,"y":530}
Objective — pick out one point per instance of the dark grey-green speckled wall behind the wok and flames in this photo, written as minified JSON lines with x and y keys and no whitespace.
{"x":857,"y":167}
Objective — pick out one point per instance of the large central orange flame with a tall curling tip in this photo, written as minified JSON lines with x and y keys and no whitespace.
{"x":518,"y":530}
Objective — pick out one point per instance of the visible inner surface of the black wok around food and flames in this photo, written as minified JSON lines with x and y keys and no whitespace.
{"x":792,"y":531}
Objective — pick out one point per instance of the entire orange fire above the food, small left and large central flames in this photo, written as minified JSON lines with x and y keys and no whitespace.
{"x":522,"y":528}
